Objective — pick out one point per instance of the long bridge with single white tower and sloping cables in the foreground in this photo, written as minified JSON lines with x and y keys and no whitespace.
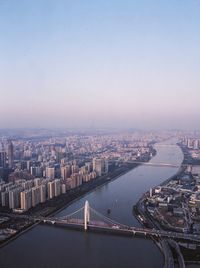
{"x":88,"y":219}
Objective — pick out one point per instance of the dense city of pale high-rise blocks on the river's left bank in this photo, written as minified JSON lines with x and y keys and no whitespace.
{"x":40,"y":173}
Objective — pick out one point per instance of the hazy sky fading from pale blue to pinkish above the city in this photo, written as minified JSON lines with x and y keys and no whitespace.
{"x":100,"y":63}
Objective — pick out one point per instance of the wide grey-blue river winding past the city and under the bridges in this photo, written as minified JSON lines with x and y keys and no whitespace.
{"x":50,"y":247}
